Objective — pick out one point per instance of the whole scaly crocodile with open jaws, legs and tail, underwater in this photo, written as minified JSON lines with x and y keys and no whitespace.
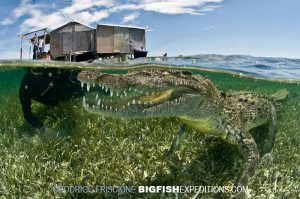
{"x":194,"y":99}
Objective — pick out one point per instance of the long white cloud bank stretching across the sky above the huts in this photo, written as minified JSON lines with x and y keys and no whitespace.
{"x":40,"y":15}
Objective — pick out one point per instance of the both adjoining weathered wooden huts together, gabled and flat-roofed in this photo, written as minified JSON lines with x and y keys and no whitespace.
{"x":78,"y":42}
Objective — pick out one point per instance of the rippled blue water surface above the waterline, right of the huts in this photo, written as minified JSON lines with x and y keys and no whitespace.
{"x":266,"y":67}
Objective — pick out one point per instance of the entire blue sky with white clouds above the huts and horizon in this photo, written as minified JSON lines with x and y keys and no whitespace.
{"x":178,"y":27}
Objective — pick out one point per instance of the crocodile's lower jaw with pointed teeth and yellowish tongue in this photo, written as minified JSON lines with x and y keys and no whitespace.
{"x":156,"y":104}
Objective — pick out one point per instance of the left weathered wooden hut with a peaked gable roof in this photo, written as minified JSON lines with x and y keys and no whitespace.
{"x":72,"y":39}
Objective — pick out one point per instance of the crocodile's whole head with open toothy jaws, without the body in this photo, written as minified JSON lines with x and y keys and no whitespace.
{"x":144,"y":93}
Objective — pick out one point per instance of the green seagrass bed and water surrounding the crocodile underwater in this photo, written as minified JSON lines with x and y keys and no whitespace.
{"x":96,"y":150}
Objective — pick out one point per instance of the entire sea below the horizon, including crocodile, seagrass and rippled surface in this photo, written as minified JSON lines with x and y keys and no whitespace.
{"x":115,"y":127}
